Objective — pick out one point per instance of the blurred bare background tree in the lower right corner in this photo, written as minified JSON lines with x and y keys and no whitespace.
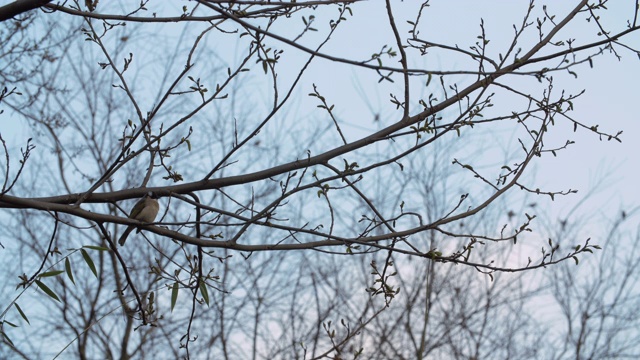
{"x":597,"y":319}
